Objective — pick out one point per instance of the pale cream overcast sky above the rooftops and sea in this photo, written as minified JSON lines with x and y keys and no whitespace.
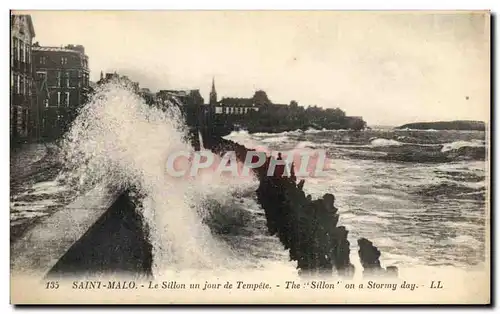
{"x":390,"y":68}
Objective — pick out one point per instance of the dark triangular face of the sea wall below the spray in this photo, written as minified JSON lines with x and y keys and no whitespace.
{"x":116,"y":243}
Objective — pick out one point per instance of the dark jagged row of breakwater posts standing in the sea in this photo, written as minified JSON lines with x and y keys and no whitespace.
{"x":307,"y":228}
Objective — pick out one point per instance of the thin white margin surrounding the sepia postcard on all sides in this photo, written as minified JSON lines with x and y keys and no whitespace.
{"x":205,"y":5}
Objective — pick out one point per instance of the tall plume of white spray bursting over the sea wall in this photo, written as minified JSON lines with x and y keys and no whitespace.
{"x":119,"y":140}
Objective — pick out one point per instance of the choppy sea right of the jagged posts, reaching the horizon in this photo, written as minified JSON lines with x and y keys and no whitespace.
{"x":416,"y":213}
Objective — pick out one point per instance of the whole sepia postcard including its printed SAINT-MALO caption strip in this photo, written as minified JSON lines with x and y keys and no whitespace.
{"x":250,"y":157}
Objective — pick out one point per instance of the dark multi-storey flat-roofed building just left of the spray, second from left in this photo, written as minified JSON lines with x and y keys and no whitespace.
{"x":62,"y":87}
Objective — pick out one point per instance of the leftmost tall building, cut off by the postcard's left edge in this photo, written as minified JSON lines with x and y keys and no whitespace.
{"x":21,"y":78}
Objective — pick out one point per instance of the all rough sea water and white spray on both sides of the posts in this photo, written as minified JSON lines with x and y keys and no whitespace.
{"x":417,"y":213}
